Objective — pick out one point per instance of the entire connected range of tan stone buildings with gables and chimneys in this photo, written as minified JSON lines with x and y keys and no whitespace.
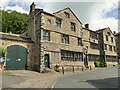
{"x":60,"y":38}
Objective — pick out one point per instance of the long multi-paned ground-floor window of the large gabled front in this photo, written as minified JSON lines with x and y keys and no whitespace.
{"x":71,"y":56}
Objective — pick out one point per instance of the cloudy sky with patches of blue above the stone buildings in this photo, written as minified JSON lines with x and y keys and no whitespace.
{"x":98,"y":13}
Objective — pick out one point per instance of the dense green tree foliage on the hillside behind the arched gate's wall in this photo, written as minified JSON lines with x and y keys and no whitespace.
{"x":14,"y":22}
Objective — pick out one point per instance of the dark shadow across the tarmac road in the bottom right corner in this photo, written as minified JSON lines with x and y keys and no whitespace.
{"x":105,"y":83}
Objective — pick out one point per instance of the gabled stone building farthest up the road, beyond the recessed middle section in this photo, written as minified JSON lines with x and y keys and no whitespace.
{"x":107,"y":45}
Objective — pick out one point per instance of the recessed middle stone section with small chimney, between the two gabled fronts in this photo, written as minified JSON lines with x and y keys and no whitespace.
{"x":91,"y":42}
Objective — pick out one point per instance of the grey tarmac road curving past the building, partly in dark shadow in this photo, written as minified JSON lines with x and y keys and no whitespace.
{"x":105,"y":78}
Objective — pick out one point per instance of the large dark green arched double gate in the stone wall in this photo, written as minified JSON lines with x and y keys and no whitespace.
{"x":16,"y":58}
